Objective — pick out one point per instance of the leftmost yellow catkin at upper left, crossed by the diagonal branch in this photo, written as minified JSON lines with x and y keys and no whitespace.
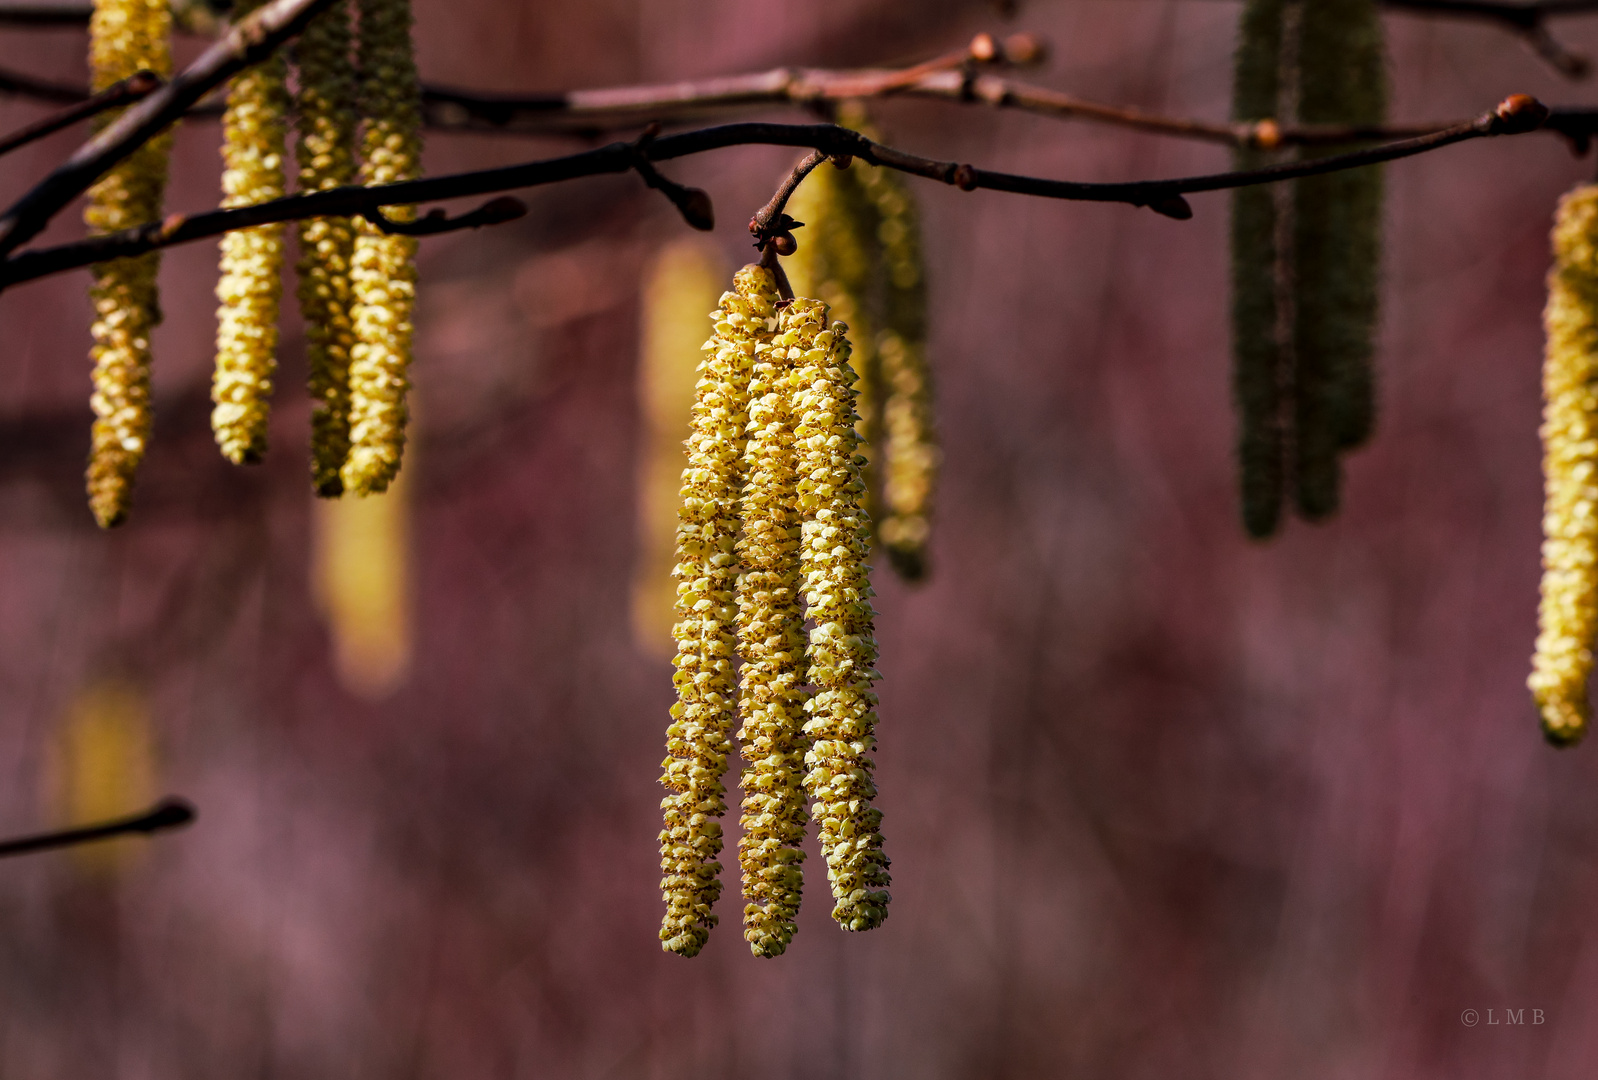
{"x":125,"y":36}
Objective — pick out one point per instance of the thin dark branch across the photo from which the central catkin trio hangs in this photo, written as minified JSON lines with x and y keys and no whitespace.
{"x":1516,"y":116}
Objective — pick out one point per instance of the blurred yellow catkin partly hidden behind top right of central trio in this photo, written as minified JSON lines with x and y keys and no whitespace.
{"x":840,"y":261}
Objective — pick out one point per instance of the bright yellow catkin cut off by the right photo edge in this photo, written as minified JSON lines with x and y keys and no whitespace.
{"x":1568,"y":614}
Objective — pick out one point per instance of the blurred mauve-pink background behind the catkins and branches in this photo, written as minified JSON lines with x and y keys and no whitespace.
{"x":1161,"y":803}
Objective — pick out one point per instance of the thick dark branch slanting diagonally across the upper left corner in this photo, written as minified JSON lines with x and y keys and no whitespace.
{"x":247,"y":44}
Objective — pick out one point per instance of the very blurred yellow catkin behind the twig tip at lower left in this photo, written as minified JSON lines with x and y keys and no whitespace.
{"x":105,"y":764}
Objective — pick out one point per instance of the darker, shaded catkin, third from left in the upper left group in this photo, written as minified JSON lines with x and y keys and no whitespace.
{"x":327,"y":159}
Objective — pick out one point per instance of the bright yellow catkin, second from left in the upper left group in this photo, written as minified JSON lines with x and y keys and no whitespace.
{"x":252,"y":285}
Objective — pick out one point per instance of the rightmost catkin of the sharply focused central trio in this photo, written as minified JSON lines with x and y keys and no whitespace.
{"x":838,"y":594}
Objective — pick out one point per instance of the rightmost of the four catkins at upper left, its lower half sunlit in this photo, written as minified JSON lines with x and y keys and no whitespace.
{"x":384,"y":268}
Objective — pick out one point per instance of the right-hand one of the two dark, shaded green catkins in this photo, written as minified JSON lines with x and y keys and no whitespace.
{"x":1337,"y":239}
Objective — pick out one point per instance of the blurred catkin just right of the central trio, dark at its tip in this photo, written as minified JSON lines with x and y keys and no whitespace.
{"x":910,"y":445}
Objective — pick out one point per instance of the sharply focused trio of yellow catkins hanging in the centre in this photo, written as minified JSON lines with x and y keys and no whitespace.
{"x":771,"y":531}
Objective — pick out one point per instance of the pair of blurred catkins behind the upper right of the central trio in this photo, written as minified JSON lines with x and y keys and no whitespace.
{"x":862,"y":256}
